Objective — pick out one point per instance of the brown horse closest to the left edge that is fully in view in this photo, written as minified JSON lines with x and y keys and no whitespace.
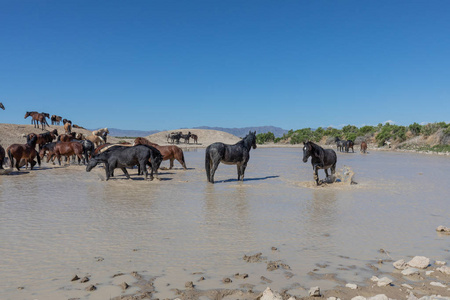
{"x":27,"y":152}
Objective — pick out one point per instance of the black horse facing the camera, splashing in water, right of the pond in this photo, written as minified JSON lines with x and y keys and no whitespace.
{"x":320,"y":159}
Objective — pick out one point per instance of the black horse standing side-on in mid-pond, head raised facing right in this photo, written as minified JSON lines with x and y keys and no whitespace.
{"x":237,"y":154}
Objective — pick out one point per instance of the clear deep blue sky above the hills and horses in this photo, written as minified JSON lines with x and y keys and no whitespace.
{"x":175,"y":64}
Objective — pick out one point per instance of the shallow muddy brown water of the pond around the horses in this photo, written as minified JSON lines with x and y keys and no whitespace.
{"x":60,"y":221}
